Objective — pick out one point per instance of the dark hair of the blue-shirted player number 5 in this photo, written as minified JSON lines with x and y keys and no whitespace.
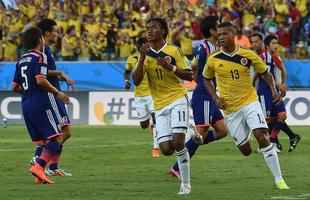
{"x":31,"y":38}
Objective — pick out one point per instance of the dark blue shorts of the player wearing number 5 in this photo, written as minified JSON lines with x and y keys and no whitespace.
{"x":42,"y":125}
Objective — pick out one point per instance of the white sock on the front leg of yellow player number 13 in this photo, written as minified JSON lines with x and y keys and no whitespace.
{"x":272,"y":160}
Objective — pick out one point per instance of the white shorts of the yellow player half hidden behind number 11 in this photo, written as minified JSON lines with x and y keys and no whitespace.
{"x":144,"y":107}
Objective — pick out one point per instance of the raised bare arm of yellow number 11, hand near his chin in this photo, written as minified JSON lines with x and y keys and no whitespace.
{"x":139,"y":72}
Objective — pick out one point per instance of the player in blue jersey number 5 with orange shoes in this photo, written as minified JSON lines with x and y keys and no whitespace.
{"x":40,"y":118}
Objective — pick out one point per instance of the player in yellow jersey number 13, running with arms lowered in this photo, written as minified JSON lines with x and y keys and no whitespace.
{"x":231,"y":67}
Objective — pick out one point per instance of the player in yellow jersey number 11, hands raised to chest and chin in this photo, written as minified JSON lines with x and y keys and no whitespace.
{"x":165,"y":65}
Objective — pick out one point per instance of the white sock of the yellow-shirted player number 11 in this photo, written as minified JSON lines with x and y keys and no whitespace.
{"x":184,"y":165}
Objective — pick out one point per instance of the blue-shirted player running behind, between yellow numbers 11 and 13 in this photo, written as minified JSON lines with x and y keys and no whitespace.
{"x":205,"y":111}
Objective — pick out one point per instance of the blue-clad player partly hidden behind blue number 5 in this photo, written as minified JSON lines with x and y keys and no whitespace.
{"x":49,"y":31}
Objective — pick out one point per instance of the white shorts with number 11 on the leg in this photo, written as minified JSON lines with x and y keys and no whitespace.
{"x":173,"y":118}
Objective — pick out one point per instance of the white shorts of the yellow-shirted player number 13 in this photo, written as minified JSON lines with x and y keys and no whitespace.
{"x":242,"y":122}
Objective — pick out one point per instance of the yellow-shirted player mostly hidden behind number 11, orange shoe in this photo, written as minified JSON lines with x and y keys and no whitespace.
{"x":143,"y":101}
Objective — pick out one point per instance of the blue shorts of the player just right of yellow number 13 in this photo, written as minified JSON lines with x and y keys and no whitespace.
{"x":270,"y":108}
